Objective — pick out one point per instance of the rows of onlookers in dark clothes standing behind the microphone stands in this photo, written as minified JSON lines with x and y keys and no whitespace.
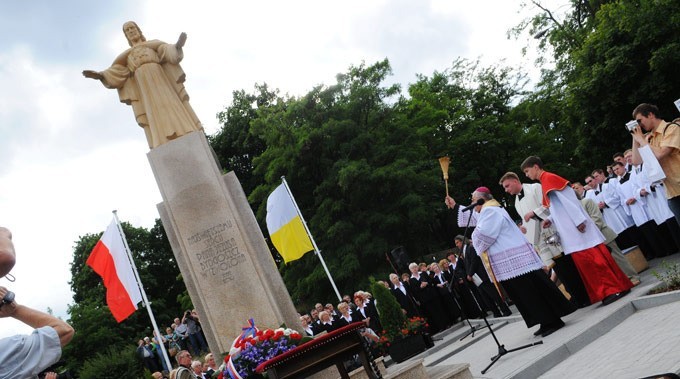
{"x":443,"y":292}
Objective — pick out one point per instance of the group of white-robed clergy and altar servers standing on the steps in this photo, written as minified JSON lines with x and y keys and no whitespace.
{"x":574,"y":231}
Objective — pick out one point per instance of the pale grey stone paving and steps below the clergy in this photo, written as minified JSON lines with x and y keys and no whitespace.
{"x":635,"y":337}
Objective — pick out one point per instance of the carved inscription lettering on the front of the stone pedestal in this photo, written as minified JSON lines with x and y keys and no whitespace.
{"x":219,"y":253}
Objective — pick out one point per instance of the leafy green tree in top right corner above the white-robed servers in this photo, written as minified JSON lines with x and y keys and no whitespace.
{"x":609,"y":56}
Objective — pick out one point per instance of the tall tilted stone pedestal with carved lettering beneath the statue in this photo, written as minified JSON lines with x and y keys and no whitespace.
{"x":225,"y":262}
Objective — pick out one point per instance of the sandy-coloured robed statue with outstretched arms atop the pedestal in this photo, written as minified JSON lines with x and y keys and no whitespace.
{"x":148,"y":77}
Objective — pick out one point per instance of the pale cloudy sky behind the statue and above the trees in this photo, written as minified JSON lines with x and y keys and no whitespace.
{"x":70,"y":153}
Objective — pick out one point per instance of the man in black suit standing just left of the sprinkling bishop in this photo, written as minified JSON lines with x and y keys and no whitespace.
{"x":488,"y":292}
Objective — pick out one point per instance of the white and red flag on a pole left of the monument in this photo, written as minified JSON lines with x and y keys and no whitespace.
{"x":110,"y":260}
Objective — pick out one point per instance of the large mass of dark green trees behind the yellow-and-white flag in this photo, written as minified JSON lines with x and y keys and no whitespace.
{"x":361,"y":160}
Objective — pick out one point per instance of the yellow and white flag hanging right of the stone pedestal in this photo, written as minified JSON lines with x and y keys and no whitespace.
{"x":286,"y":226}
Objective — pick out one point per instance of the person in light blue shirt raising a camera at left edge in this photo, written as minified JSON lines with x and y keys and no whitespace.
{"x":25,"y":356}
